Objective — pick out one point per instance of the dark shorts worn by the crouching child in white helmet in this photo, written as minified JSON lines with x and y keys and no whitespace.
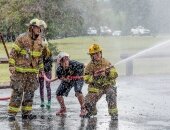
{"x":65,"y":87}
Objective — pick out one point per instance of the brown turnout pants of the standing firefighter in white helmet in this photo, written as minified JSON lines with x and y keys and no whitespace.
{"x":23,"y":93}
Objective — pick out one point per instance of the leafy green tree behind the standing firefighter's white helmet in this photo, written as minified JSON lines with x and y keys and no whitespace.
{"x":62,"y":20}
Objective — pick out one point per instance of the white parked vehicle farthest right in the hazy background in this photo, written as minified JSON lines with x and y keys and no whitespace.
{"x":139,"y":30}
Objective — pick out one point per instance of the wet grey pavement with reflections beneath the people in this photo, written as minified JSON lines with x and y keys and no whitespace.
{"x":143,"y":103}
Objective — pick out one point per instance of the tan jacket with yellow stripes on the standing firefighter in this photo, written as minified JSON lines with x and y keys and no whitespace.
{"x":26,"y":54}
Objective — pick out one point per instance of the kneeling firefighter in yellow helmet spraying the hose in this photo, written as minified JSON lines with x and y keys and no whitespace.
{"x":100,"y":76}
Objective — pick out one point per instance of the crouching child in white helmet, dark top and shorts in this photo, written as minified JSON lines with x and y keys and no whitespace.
{"x":65,"y":69}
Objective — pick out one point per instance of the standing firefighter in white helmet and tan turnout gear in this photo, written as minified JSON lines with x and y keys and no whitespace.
{"x":25,"y":63}
